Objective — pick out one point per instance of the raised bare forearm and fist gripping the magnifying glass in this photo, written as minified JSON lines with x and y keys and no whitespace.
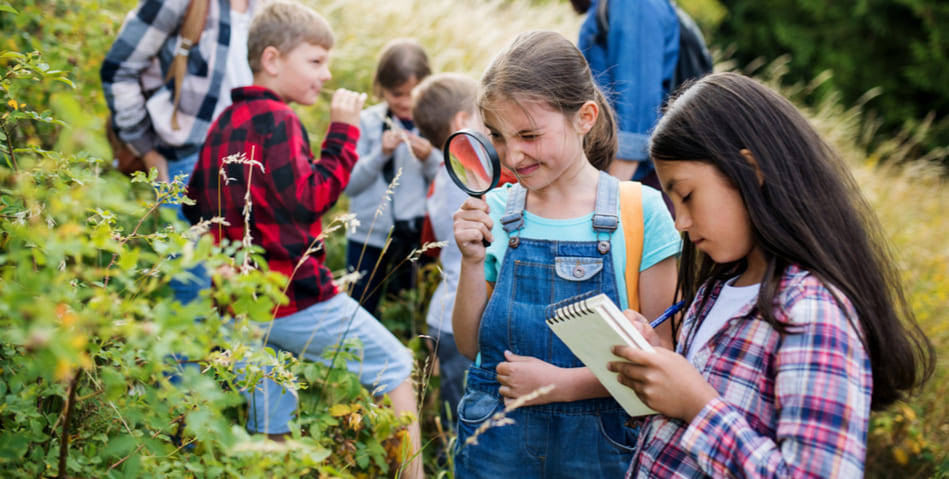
{"x":472,"y":225}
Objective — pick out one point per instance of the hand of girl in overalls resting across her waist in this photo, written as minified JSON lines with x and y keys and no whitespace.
{"x":522,"y":375}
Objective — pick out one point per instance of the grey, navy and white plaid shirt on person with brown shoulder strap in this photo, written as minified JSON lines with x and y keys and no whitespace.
{"x":134,"y":70}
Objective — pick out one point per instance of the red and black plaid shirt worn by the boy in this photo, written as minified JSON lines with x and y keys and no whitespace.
{"x":288,"y":197}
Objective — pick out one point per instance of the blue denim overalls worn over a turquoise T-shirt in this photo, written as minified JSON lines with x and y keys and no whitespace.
{"x":578,"y":439}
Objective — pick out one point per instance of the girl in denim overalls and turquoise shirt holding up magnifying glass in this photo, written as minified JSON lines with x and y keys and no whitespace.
{"x":552,"y":236}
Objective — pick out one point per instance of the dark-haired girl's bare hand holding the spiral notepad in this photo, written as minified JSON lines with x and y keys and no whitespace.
{"x":664,"y":380}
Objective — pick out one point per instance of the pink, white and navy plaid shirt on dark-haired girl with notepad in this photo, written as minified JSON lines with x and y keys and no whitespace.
{"x":792,"y":406}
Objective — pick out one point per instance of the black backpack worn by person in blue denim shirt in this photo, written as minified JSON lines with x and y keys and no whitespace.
{"x":694,"y":59}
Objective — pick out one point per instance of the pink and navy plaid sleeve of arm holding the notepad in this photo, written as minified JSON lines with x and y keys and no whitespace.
{"x":822,"y":387}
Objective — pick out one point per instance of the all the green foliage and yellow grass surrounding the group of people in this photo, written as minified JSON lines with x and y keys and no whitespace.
{"x":63,"y":216}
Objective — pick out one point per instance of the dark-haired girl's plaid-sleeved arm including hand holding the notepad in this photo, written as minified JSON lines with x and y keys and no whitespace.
{"x":822,"y":385}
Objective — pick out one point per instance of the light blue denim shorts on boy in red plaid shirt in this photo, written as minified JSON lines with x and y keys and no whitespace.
{"x":385,"y":363}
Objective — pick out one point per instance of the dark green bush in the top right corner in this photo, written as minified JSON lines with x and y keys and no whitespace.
{"x":900,"y":47}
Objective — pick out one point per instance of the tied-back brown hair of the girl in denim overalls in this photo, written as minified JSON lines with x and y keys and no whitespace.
{"x":544,"y":66}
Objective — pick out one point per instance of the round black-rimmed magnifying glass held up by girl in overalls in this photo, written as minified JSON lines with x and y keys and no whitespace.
{"x":472,"y":163}
